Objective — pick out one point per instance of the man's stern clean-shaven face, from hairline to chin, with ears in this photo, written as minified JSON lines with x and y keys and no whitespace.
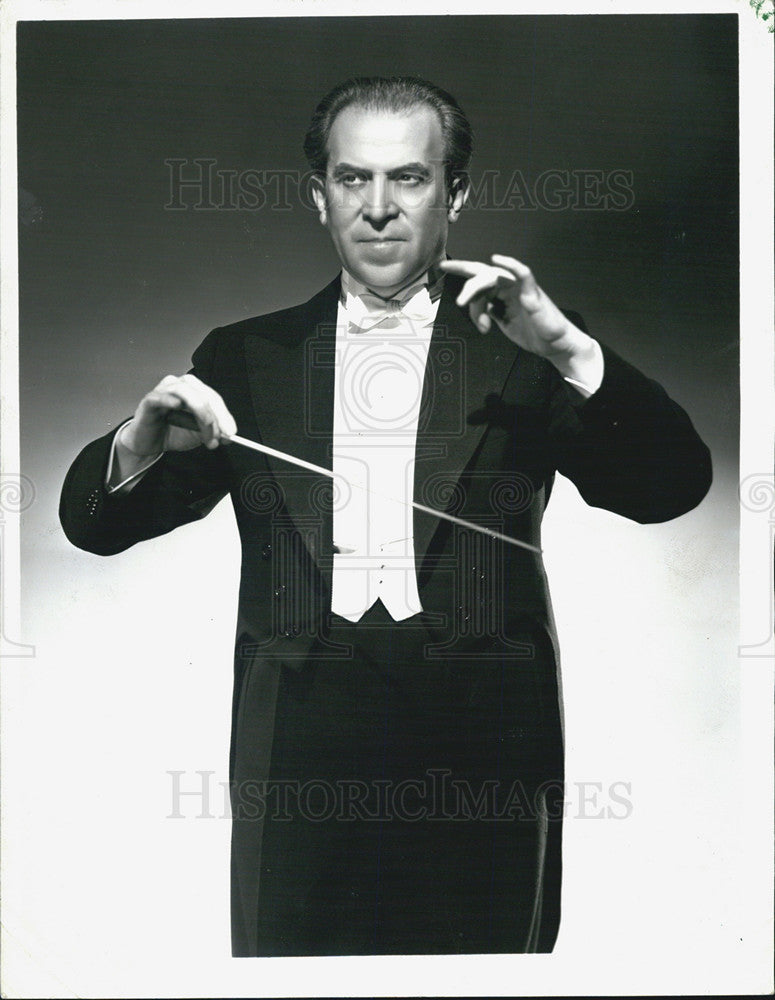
{"x":384,"y":199}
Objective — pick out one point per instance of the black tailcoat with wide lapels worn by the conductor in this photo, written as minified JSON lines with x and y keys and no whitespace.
{"x":496,"y":424}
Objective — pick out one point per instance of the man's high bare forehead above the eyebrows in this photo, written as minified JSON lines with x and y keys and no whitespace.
{"x":379,"y":140}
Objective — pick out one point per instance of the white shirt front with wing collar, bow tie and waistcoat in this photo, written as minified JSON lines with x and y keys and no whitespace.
{"x":381,"y":356}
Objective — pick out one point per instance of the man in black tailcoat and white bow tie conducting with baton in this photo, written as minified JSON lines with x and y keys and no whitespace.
{"x":396,"y":761}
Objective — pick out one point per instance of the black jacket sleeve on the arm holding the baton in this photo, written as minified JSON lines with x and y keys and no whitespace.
{"x":181,"y":487}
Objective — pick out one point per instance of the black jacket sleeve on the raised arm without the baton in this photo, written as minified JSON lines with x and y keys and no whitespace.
{"x":629,"y":448}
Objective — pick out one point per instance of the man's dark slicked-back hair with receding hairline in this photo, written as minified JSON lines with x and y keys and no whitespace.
{"x":396,"y":94}
